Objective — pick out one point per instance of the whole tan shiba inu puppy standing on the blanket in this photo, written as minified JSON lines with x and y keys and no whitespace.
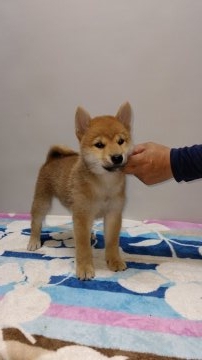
{"x":91,"y":184}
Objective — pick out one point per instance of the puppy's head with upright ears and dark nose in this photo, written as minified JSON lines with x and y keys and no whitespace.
{"x":105,"y":140}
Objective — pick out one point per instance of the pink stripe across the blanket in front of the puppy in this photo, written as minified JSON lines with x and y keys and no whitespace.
{"x":110,"y":318}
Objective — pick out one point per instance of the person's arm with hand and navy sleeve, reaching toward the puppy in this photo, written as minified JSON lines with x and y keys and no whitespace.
{"x":154,"y":163}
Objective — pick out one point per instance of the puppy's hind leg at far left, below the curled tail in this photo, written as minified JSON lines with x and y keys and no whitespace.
{"x":41,"y":205}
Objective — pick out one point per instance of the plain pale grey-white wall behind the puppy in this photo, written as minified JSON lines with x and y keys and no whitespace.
{"x":56,"y":55}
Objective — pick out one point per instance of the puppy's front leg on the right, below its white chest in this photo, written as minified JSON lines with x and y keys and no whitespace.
{"x":112,"y":227}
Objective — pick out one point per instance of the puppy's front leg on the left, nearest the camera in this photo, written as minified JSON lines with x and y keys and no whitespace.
{"x":82,"y":234}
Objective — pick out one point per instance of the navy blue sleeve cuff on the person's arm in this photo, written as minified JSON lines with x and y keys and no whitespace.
{"x":186,"y":163}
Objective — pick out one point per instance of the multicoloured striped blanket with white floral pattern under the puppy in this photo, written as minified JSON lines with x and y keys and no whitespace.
{"x":153,"y":310}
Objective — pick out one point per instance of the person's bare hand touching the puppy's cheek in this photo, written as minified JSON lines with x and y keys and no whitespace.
{"x":150,"y":163}
